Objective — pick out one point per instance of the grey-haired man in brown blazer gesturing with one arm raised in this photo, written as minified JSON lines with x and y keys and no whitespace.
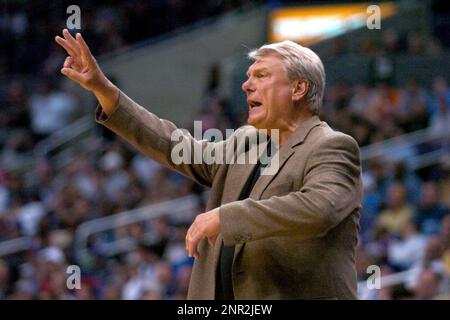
{"x":288,"y":235}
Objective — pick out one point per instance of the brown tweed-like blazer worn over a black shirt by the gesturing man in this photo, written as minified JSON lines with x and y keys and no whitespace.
{"x":295,"y":235}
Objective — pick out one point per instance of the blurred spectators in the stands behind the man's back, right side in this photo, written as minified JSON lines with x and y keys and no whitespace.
{"x":405,"y":219}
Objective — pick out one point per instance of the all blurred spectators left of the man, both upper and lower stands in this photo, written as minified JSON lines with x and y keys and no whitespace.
{"x":46,"y":205}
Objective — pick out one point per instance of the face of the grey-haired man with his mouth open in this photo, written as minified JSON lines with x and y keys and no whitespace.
{"x":269,"y":93}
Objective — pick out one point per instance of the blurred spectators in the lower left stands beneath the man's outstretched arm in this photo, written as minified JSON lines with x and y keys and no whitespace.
{"x":46,"y":205}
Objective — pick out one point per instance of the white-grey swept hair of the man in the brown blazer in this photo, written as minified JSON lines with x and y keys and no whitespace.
{"x":301,"y":64}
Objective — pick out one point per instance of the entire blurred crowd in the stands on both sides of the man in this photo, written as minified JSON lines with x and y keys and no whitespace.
{"x":405,"y":220}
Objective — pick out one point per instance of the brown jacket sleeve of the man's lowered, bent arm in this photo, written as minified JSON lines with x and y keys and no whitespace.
{"x":331,"y":191}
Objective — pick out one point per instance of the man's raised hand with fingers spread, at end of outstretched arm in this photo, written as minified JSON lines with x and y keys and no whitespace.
{"x":81,"y":67}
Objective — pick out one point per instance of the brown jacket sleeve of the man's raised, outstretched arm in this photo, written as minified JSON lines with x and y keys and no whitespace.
{"x":159,"y":139}
